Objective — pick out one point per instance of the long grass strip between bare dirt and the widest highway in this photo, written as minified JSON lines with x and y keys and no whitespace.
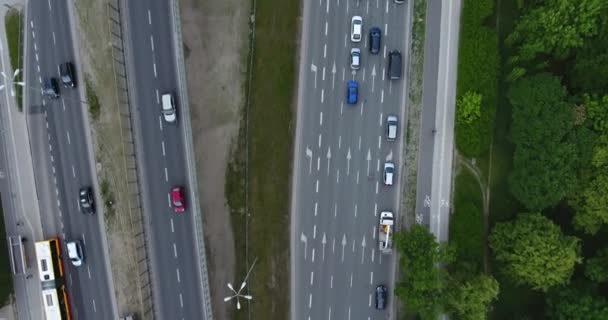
{"x":261,"y":224}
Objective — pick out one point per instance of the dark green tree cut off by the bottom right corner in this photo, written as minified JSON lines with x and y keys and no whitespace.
{"x":577,"y":304}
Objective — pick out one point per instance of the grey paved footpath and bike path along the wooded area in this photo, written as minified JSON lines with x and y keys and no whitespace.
{"x":434,"y":181}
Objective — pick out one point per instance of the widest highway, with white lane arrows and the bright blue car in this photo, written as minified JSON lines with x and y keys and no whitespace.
{"x":340,"y":150}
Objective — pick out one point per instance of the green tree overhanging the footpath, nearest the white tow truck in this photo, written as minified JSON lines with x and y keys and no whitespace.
{"x":423,"y":282}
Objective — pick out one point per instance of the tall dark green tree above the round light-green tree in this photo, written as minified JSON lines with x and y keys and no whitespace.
{"x":545,"y":160}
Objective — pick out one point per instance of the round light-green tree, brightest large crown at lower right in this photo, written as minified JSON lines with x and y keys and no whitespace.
{"x":532,"y":250}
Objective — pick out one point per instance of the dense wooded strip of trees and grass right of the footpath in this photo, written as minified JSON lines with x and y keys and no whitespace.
{"x":532,"y":111}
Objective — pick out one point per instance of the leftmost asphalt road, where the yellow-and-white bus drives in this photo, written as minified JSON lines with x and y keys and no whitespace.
{"x":61,"y":158}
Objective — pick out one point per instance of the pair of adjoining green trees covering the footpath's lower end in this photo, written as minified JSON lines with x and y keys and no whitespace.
{"x":426,"y":286}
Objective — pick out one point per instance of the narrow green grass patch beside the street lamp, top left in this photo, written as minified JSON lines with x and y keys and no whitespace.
{"x":14,"y":34}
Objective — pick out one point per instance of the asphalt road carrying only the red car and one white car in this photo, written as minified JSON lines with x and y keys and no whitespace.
{"x":174,"y":257}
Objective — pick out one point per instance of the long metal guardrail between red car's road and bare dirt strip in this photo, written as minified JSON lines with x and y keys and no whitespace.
{"x":190,"y":164}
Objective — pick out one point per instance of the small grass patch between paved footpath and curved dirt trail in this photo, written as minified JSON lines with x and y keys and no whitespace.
{"x":466,"y":223}
